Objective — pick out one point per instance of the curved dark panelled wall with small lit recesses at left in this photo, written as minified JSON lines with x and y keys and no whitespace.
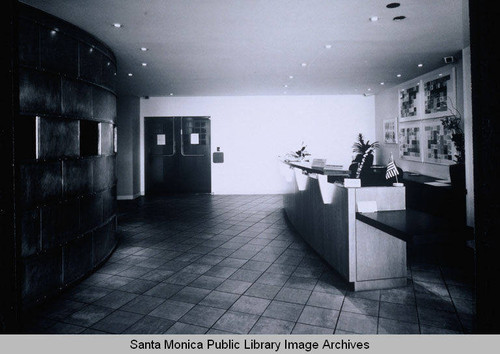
{"x":65,"y":155}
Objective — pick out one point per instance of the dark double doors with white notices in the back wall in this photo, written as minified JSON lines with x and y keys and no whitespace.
{"x":177,"y":155}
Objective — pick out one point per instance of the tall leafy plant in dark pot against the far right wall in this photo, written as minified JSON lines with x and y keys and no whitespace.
{"x":453,"y":124}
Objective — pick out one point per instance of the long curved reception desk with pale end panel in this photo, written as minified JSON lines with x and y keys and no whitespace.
{"x":324,"y":214}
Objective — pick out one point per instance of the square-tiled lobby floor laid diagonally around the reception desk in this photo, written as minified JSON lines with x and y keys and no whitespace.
{"x":230,"y":264}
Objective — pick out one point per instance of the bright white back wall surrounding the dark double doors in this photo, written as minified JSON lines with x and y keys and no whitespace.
{"x":253,"y":131}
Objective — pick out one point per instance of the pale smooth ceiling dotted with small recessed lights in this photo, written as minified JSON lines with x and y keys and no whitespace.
{"x":254,"y":47}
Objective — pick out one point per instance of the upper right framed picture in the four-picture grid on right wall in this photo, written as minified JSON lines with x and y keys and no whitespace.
{"x":439,"y":94}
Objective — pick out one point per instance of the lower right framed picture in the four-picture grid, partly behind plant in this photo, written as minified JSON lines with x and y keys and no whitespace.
{"x":438,"y":146}
